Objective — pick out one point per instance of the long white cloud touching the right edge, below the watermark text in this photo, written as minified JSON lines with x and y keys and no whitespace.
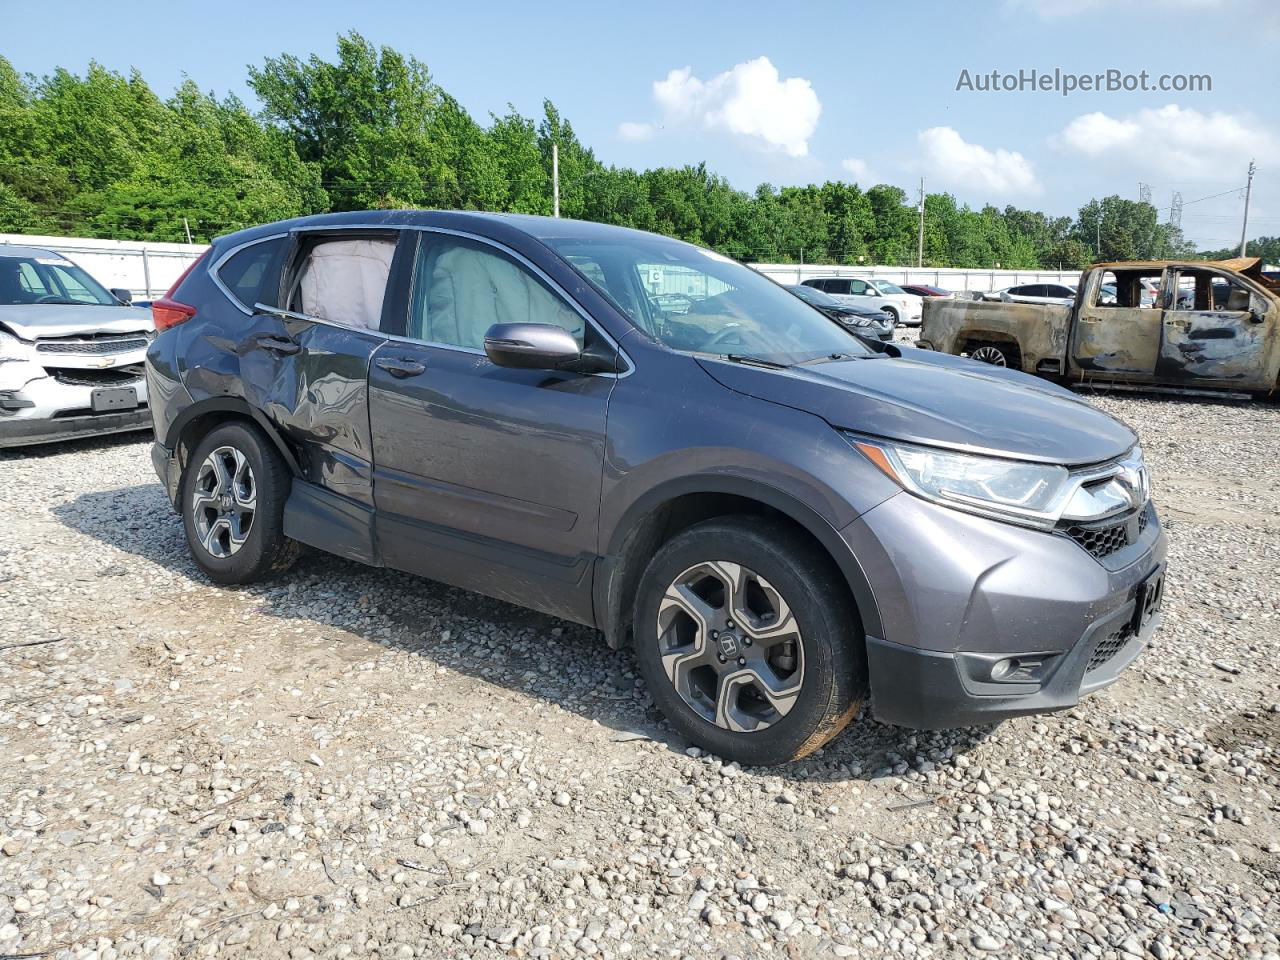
{"x":1173,"y":141}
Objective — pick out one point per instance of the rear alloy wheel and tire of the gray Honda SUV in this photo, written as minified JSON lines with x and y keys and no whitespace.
{"x":232,"y":499}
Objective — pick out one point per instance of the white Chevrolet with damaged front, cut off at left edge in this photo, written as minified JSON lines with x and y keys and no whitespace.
{"x":71,"y":353}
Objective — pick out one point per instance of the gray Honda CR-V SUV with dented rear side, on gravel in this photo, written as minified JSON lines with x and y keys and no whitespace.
{"x":642,"y":436}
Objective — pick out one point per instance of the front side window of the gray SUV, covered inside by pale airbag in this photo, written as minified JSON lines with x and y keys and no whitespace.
{"x":470,"y":291}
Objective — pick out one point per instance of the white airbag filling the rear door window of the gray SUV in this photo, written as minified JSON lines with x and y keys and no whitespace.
{"x":345,"y":281}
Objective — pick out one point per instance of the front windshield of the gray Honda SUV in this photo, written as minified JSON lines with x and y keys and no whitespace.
{"x":697,"y":301}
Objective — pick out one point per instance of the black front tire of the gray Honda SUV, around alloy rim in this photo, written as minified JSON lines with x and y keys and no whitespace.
{"x":834,"y":660}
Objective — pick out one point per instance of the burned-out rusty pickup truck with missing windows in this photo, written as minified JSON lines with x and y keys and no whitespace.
{"x":1150,"y":326}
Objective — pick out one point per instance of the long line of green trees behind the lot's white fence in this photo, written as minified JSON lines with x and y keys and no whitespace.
{"x":103,"y":156}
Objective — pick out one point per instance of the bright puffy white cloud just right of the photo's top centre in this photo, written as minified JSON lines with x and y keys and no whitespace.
{"x":749,"y":100}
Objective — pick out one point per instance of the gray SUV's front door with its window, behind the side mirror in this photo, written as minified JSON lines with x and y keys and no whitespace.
{"x":486,"y":477}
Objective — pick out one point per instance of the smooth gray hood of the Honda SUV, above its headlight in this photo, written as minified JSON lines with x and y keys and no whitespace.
{"x":935,"y":399}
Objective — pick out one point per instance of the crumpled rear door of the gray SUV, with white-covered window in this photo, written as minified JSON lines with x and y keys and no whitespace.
{"x":305,"y":358}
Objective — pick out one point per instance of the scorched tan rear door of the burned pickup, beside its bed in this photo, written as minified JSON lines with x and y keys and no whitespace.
{"x":1114,"y":336}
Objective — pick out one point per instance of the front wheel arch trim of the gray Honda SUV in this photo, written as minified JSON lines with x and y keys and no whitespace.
{"x":674,"y":506}
